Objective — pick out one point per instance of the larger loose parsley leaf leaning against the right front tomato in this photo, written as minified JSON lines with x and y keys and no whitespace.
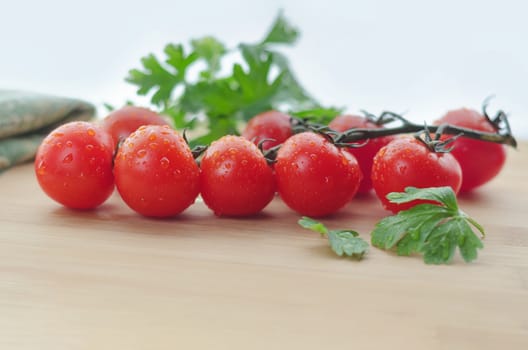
{"x":432,"y":230}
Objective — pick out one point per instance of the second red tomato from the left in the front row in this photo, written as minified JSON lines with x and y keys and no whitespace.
{"x":155,"y":172}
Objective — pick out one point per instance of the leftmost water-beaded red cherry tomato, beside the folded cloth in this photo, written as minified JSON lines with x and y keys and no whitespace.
{"x":74,"y":165}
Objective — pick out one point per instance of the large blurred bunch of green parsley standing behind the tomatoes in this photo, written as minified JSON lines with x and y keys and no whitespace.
{"x":262,"y":80}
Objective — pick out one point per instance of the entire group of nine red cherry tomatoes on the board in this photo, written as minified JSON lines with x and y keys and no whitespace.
{"x":156,"y":174}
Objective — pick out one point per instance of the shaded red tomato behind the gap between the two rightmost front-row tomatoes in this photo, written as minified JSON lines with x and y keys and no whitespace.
{"x":366,"y":153}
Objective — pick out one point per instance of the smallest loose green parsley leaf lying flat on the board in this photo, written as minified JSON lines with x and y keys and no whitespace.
{"x":342,"y":242}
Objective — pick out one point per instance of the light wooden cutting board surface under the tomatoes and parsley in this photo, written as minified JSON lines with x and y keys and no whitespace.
{"x":110,"y":279}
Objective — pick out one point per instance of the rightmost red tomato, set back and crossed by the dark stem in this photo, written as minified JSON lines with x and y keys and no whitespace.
{"x":480,"y":161}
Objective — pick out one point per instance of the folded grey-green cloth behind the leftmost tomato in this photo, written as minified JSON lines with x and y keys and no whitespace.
{"x":27,"y":117}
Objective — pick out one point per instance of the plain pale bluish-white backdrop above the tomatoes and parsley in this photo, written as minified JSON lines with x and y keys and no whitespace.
{"x":423,"y":57}
